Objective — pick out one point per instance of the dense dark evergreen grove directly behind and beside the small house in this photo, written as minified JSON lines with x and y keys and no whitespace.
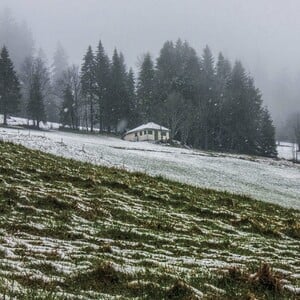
{"x":206,"y":104}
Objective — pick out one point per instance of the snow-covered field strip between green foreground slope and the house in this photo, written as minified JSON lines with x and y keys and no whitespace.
{"x":276,"y":181}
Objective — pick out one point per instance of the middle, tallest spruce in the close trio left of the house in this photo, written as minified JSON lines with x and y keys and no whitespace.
{"x":103,"y":77}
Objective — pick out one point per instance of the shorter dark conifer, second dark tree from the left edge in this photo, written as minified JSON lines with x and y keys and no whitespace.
{"x":36,"y":107}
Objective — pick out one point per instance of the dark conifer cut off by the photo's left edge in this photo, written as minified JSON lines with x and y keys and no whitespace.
{"x":9,"y":86}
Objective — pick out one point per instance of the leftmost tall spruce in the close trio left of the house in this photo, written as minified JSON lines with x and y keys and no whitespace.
{"x":89,"y":87}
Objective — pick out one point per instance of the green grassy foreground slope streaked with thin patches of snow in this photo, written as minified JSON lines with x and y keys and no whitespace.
{"x":69,"y":229}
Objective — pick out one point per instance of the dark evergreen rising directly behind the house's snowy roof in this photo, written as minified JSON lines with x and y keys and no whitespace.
{"x":146,"y":89}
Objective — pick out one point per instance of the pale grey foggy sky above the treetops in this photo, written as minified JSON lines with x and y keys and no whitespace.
{"x":263,"y":34}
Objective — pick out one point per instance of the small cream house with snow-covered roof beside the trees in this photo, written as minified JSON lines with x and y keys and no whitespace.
{"x":148,"y":132}
